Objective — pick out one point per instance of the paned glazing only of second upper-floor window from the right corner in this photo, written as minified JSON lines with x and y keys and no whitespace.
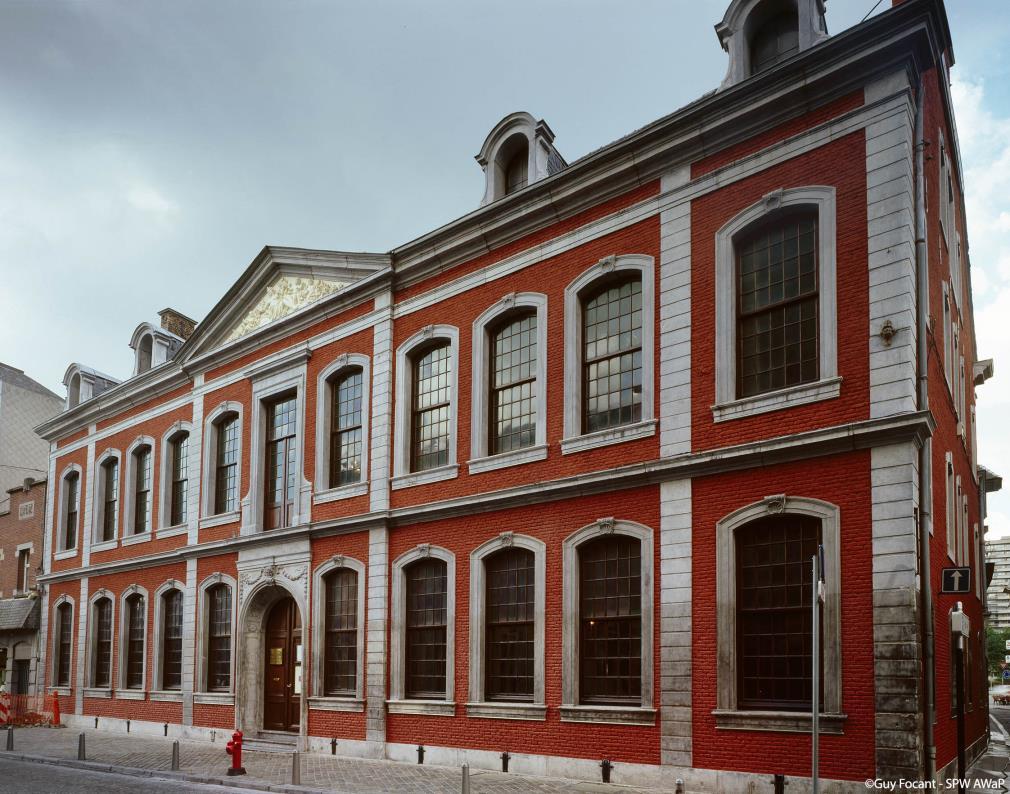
{"x":613,"y":356}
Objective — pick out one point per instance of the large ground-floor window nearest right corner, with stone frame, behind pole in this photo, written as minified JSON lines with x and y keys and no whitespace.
{"x":764,"y":576}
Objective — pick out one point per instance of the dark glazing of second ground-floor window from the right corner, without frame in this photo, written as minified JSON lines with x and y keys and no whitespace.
{"x":611,"y":621}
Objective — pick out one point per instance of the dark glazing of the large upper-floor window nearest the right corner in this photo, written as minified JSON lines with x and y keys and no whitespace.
{"x":777,"y":305}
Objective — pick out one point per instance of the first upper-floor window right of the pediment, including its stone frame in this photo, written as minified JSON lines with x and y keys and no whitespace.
{"x":427,"y":398}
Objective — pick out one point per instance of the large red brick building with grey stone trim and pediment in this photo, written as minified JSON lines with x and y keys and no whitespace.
{"x":548,"y":480}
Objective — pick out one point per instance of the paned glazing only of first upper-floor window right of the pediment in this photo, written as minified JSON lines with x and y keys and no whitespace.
{"x":431,"y":409}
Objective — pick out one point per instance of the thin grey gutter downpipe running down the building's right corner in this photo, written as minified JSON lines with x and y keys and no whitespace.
{"x":926,"y":451}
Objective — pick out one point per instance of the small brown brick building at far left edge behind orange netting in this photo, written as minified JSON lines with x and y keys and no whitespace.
{"x":23,"y":527}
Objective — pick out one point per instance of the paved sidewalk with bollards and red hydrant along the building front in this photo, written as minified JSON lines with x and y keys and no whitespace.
{"x":207,"y":763}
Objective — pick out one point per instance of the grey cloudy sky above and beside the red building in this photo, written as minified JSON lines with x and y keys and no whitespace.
{"x":150,"y":150}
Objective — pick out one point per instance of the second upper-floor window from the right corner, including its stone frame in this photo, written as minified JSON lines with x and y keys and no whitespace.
{"x":610,"y":332}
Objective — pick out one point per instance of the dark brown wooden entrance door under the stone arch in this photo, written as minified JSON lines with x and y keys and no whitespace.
{"x":283,"y":668}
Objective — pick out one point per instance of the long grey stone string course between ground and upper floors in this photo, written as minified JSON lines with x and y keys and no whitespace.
{"x":865,"y":435}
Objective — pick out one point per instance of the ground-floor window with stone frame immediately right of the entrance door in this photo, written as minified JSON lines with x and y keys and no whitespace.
{"x":339,"y":673}
